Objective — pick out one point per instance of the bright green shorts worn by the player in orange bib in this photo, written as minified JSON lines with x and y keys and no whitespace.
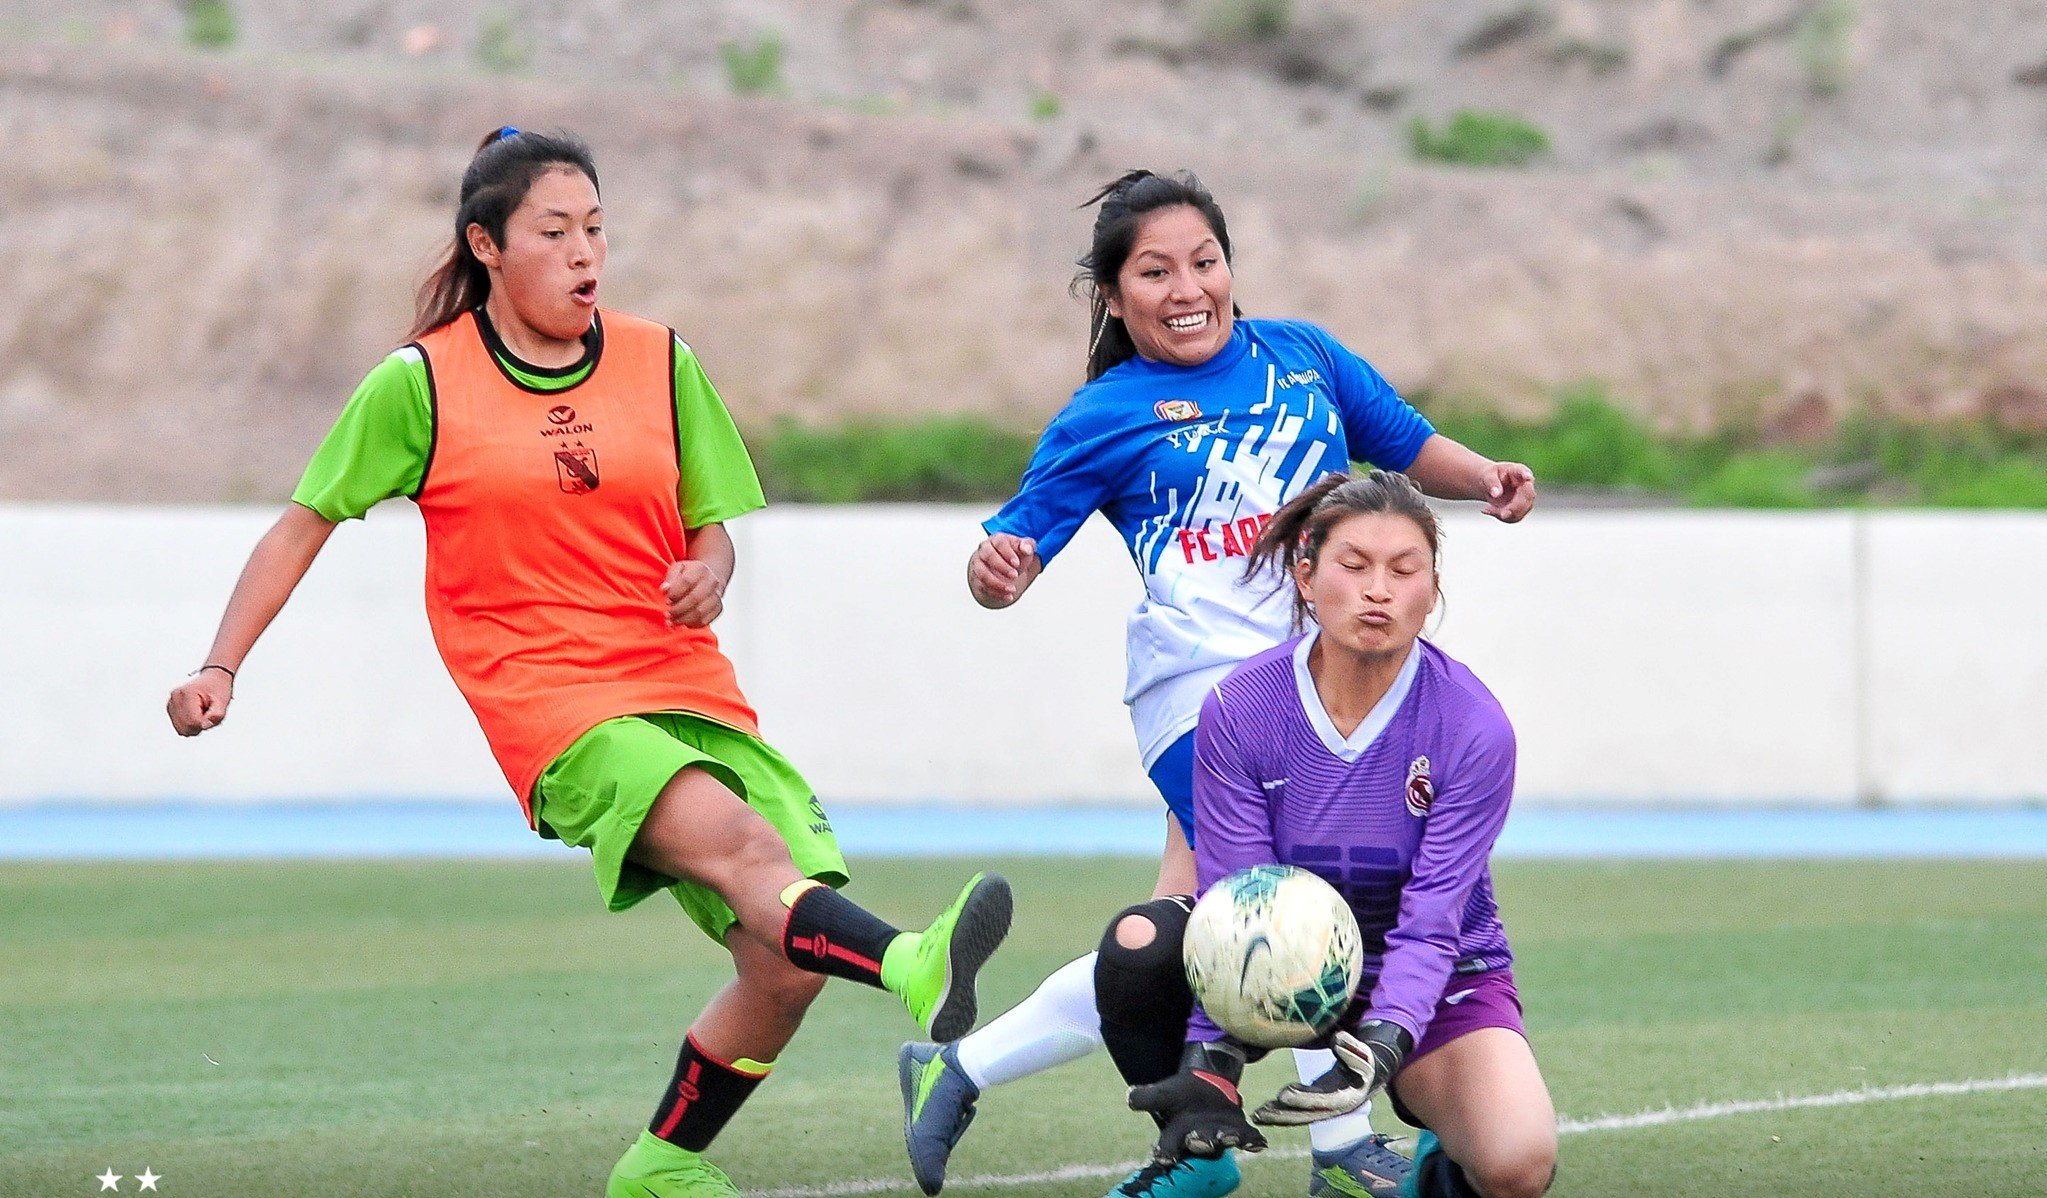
{"x":599,"y":791}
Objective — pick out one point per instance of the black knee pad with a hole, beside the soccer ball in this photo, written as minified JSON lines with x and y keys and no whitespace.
{"x":1143,"y":992}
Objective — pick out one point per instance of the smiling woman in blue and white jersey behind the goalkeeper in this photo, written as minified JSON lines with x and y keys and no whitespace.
{"x":1192,"y":431}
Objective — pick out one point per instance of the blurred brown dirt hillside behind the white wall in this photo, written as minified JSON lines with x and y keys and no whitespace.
{"x":1763,"y":208}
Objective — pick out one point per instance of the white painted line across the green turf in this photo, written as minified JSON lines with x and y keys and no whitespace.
{"x":1565,"y":1127}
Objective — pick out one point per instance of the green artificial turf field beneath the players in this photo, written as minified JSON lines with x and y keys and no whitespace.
{"x":484,"y":1029}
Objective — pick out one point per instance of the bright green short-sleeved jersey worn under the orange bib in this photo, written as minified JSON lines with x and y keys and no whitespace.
{"x":380,"y":445}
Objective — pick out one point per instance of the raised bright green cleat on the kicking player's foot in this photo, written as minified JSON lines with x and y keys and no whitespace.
{"x":934,"y":972}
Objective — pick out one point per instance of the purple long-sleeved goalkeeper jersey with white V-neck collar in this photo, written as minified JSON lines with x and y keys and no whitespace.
{"x":1401,"y":816}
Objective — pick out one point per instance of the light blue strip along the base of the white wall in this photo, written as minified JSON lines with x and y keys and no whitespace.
{"x":492,"y":830}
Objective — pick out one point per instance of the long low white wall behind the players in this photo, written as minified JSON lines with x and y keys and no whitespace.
{"x":1643,"y":656}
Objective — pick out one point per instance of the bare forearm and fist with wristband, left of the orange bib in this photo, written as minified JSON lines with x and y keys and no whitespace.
{"x":275,"y":568}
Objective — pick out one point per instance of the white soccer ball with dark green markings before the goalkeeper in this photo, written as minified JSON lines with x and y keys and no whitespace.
{"x":1274,"y":955}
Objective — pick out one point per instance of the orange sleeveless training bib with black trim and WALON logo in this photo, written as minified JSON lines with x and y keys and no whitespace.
{"x":552,"y":519}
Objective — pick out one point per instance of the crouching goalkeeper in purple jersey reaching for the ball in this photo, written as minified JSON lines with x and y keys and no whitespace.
{"x":1373,"y":759}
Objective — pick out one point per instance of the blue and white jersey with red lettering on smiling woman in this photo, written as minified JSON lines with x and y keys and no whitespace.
{"x":1188,"y":464}
